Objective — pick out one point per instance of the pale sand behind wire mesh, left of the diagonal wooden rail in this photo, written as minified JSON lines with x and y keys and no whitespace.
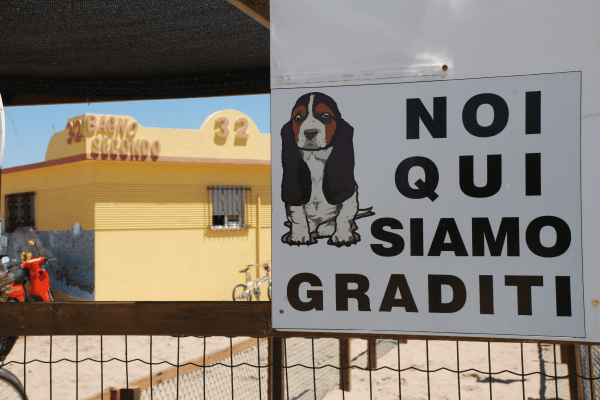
{"x":86,"y":377}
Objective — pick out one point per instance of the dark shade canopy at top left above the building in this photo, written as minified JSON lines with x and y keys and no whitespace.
{"x":66,"y":52}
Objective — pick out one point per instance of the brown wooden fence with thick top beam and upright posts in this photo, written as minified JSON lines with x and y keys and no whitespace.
{"x":205,"y":319}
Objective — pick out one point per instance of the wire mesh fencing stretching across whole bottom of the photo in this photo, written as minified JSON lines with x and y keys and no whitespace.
{"x":71,"y":368}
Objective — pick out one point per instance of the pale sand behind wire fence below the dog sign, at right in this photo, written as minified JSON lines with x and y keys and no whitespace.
{"x":444,"y":385}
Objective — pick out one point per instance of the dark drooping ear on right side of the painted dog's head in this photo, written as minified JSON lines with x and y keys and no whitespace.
{"x":338,"y":181}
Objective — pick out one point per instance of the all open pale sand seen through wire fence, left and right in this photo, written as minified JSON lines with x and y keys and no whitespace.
{"x":384,"y":384}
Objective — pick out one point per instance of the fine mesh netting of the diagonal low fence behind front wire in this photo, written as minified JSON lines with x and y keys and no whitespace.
{"x":300,"y":378}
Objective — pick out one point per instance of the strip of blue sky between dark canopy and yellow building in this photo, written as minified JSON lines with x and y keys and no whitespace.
{"x":29,"y":129}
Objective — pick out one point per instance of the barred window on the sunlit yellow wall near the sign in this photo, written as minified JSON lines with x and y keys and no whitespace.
{"x":228,"y":204}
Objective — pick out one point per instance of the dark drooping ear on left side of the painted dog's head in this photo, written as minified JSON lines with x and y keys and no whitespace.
{"x":296,"y":183}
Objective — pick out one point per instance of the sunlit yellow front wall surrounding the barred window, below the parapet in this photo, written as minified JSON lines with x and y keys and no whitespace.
{"x":153,"y":240}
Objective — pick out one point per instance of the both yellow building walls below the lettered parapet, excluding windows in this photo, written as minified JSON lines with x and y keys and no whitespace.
{"x":150,"y":224}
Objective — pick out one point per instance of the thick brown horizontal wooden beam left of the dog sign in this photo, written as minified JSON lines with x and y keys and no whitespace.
{"x":139,"y":318}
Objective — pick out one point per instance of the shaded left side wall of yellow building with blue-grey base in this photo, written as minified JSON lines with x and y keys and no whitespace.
{"x":64,"y":195}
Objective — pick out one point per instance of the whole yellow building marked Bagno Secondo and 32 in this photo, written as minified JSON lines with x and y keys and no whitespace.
{"x":140,"y":214}
